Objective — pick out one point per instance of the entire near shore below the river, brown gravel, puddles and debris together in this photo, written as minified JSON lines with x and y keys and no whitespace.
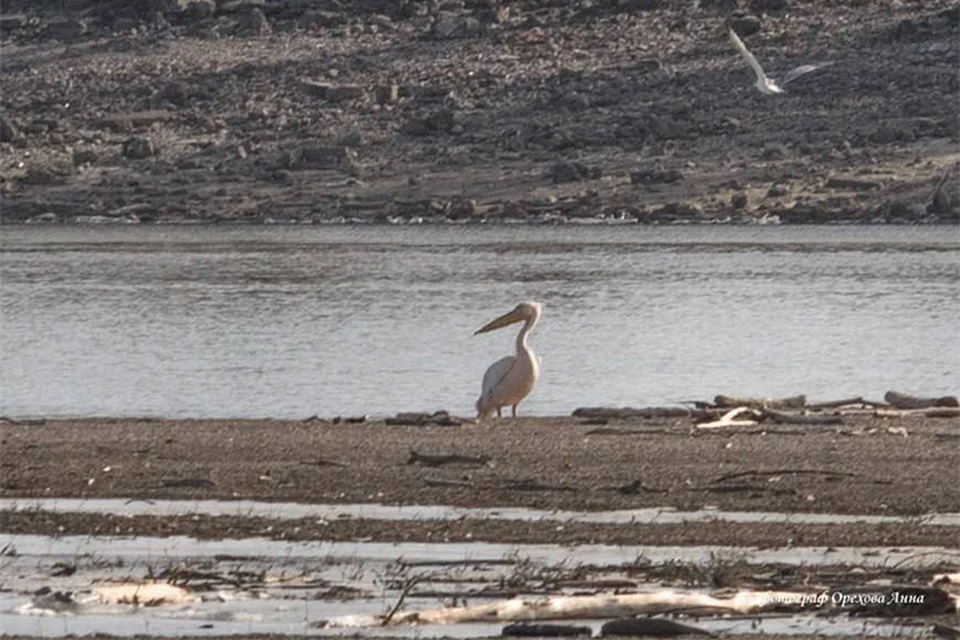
{"x":278,"y":528}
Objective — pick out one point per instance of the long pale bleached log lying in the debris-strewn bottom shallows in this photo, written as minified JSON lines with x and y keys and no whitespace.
{"x":585,"y":607}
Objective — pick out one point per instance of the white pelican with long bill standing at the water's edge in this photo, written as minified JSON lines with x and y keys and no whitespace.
{"x":510,"y":379}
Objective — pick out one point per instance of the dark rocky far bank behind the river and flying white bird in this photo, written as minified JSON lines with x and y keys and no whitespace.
{"x":418,"y":111}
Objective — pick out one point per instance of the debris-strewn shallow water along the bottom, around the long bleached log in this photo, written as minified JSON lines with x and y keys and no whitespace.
{"x":268,"y":586}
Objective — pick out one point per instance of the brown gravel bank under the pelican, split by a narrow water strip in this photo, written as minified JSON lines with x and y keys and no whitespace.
{"x":865,"y":466}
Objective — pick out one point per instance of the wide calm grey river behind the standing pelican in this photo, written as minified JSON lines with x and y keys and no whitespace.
{"x":296,"y":321}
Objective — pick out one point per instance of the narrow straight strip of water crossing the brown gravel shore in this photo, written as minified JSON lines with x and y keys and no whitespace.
{"x":291,"y":510}
